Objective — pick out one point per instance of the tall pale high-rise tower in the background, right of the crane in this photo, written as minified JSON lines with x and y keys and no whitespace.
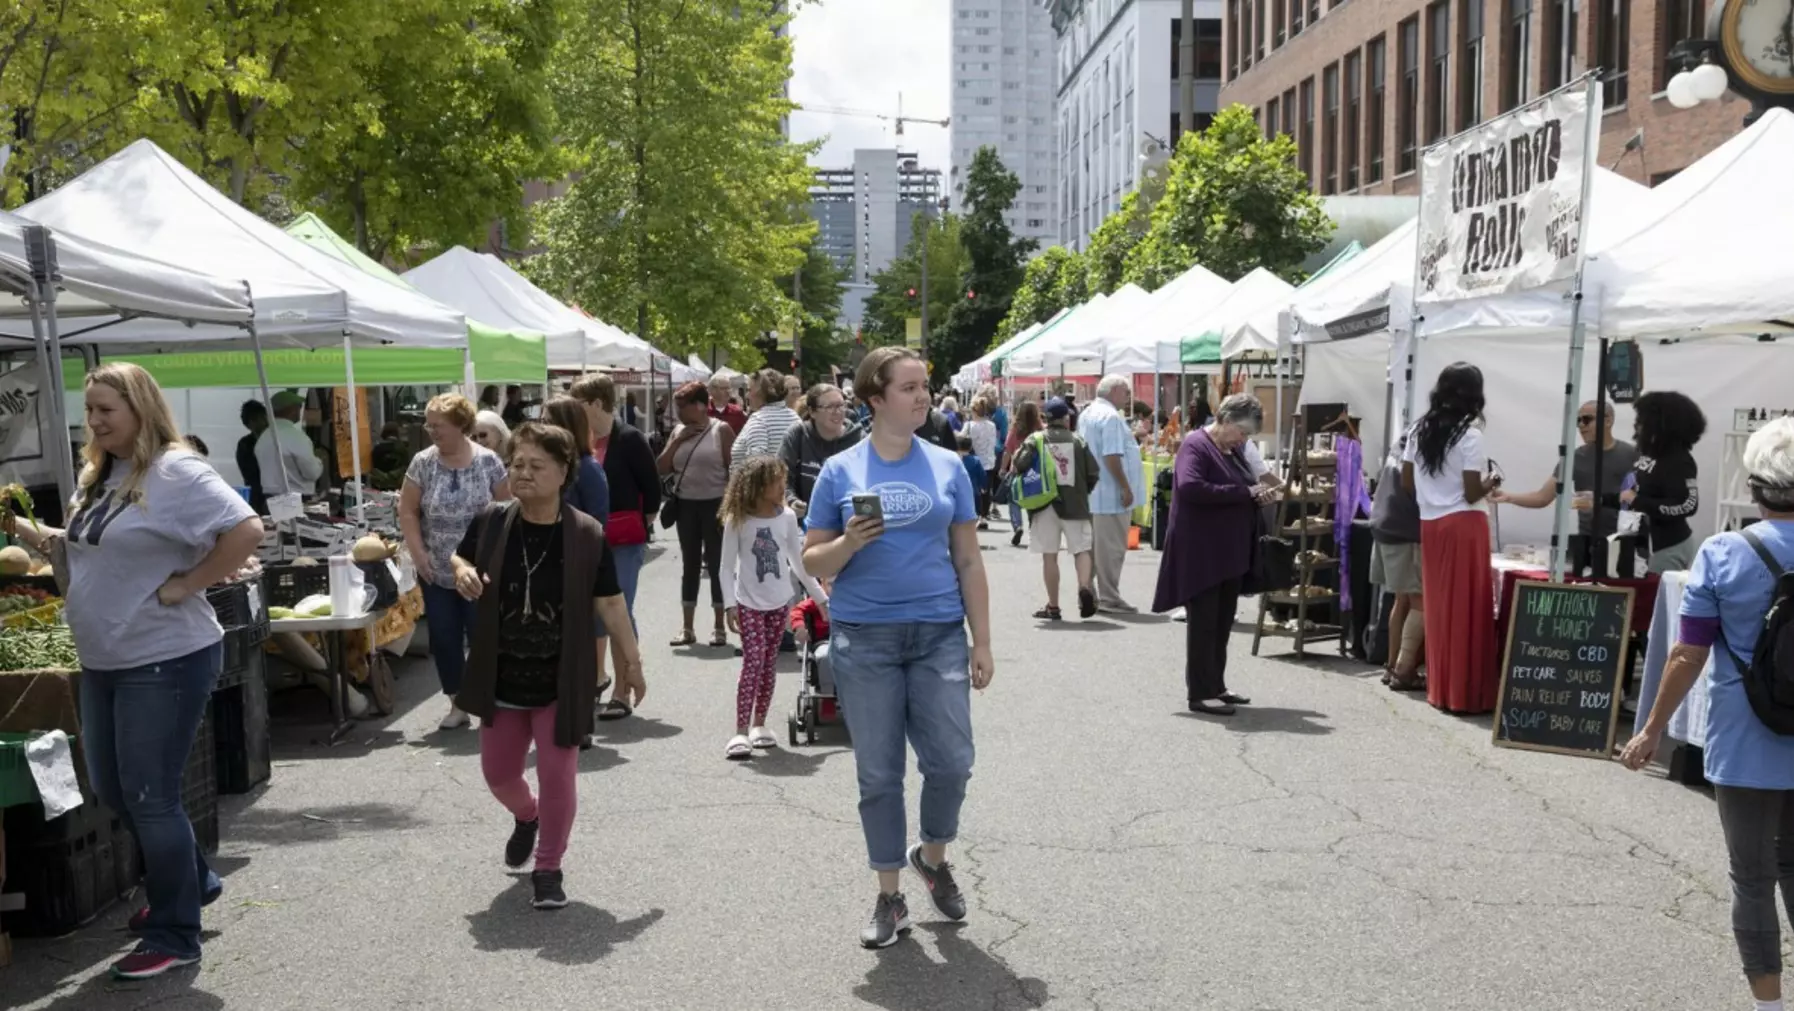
{"x":1004,"y":98}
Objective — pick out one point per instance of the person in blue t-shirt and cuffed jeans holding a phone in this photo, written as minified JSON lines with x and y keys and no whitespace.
{"x":909,"y":580}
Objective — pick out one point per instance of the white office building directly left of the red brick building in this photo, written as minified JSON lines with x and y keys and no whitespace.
{"x":1117,"y":87}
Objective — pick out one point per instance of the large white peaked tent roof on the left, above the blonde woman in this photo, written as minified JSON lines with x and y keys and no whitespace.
{"x":148,"y":203}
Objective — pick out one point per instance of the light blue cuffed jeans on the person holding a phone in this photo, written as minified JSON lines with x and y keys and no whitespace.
{"x":905,"y":682}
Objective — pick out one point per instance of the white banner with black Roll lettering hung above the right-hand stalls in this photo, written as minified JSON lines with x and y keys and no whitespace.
{"x":1502,"y":205}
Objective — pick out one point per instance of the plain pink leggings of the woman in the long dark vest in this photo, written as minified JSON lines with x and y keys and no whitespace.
{"x":503,"y":750}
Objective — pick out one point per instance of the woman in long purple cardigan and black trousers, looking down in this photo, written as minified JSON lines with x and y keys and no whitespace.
{"x":1210,"y":544}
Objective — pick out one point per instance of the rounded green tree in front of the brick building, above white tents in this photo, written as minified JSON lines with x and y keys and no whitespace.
{"x":1233,"y":202}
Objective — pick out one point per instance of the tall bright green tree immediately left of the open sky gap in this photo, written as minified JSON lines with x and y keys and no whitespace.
{"x":690,"y":202}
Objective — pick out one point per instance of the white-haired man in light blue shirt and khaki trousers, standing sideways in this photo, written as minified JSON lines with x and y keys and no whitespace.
{"x":1104,"y":428}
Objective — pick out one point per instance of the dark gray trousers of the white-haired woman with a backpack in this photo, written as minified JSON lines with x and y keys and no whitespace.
{"x":1759,"y":829}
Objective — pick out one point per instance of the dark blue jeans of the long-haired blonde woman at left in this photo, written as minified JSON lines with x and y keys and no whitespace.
{"x":137,"y":729}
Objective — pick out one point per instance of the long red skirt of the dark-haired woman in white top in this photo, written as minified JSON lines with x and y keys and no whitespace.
{"x":1459,"y":592}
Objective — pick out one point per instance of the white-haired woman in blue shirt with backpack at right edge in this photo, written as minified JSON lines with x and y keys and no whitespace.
{"x":1752,"y":768}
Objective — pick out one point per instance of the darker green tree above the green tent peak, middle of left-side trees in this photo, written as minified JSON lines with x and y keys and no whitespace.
{"x":466,"y":119}
